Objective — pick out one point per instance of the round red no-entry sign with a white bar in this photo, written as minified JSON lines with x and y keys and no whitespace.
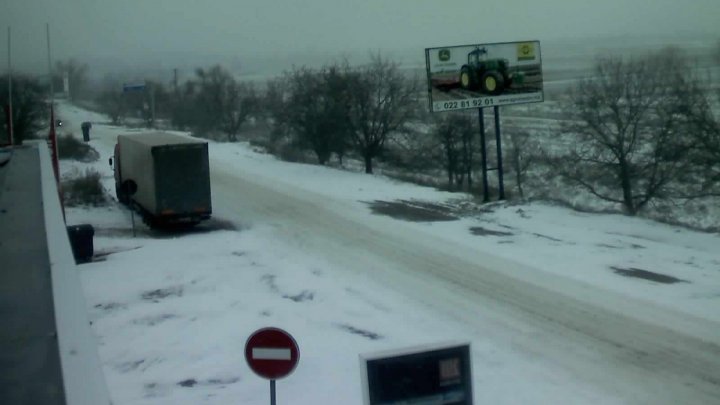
{"x":271,"y":353}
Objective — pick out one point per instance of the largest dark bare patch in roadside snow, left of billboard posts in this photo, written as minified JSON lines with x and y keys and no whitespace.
{"x":414,"y":211}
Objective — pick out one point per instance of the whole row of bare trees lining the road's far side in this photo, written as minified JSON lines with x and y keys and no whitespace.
{"x":635,"y":131}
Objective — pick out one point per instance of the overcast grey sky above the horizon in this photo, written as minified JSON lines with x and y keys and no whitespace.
{"x":166,"y":32}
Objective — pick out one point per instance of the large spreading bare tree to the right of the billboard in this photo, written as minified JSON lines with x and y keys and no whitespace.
{"x":630,"y":125}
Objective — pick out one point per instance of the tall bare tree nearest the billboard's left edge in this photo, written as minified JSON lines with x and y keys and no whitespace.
{"x":382,"y":101}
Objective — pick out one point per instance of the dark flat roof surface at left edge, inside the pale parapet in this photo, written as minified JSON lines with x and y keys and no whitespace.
{"x":29,"y":359}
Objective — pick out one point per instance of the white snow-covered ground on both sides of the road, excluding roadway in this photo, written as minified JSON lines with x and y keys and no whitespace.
{"x":172,"y":312}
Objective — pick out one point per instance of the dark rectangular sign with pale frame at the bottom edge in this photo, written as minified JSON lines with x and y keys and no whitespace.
{"x":427,"y":375}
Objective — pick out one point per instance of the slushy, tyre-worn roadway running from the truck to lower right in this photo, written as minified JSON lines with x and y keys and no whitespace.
{"x":629,"y":349}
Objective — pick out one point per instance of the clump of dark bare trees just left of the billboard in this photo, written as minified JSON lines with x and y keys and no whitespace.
{"x":337,"y":108}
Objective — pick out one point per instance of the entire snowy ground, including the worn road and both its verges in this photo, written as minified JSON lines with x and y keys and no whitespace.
{"x":564,"y":330}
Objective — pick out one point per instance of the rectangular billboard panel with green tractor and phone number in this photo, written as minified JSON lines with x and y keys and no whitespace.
{"x":484,"y":75}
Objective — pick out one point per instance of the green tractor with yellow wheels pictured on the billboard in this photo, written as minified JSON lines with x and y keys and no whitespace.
{"x":490,"y":76}
